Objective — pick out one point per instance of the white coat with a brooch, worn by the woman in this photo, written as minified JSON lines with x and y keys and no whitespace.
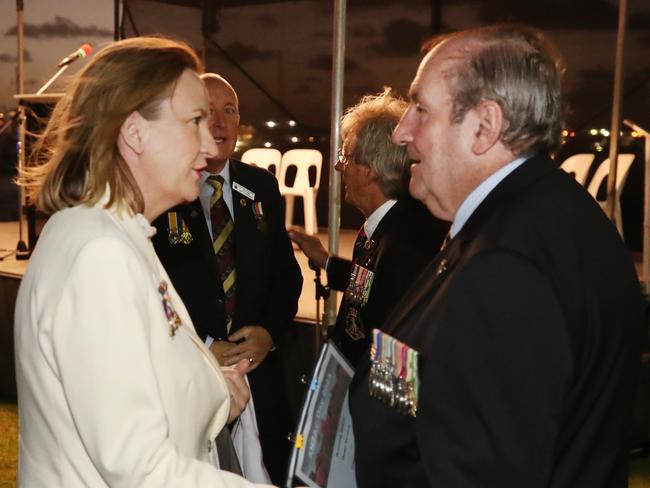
{"x":106,"y":396}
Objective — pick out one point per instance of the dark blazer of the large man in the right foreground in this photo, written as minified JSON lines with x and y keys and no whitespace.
{"x":528,"y":325}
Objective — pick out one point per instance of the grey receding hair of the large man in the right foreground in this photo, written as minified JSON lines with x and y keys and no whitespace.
{"x":519,"y":69}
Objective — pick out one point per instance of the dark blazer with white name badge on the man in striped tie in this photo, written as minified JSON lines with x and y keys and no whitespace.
{"x":268,"y":286}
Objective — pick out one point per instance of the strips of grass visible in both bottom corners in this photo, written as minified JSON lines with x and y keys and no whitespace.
{"x":639,"y":466}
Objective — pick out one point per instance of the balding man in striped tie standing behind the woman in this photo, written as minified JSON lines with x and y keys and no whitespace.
{"x":242,"y":310}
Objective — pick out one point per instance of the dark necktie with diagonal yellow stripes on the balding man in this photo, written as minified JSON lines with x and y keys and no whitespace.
{"x":224,"y":245}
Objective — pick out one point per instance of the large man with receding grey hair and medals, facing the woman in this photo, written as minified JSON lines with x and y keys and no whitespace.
{"x":527,"y":325}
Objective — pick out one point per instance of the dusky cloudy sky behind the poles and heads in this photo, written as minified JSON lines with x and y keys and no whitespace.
{"x":286,"y":46}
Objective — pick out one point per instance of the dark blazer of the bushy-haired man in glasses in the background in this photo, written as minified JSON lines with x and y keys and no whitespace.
{"x":406,"y":240}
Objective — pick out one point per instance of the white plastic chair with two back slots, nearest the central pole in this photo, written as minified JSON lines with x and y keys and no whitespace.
{"x":302,"y":160}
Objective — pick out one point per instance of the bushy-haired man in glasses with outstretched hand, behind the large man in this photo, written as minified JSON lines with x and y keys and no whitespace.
{"x":399,"y":236}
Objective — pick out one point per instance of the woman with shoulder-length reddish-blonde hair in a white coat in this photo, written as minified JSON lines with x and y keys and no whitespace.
{"x":114,"y":386}
